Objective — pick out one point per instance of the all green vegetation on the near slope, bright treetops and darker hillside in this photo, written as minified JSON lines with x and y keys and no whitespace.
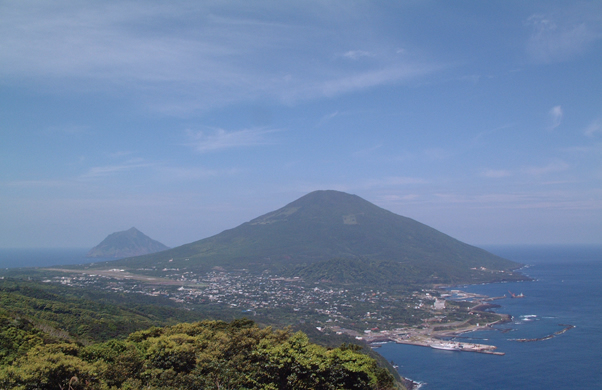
{"x":51,"y":338}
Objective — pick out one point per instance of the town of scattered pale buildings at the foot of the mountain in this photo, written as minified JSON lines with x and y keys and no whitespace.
{"x":368,"y":313}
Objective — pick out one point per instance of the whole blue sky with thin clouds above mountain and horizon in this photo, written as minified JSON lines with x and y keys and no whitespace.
{"x":482,"y":119}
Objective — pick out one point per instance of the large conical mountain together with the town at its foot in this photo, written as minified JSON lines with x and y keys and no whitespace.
{"x":328,"y":263}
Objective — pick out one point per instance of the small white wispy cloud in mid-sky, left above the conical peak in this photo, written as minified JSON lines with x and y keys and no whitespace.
{"x":221,"y":139}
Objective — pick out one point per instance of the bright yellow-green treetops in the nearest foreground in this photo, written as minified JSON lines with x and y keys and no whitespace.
{"x":205,"y":355}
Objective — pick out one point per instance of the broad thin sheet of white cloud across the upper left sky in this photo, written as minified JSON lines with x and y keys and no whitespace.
{"x":208,"y":61}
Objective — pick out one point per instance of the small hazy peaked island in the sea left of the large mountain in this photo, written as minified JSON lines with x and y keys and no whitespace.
{"x":128,"y":243}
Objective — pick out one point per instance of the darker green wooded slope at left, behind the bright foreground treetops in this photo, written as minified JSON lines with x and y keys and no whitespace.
{"x":87,"y":315}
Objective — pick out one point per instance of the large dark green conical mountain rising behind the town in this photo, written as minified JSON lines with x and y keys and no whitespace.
{"x":326,"y":225}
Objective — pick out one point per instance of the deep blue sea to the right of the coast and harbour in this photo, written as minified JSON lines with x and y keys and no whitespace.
{"x":567,"y":290}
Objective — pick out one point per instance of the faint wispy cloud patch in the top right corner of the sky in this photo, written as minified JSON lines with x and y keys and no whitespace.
{"x":560,"y":37}
